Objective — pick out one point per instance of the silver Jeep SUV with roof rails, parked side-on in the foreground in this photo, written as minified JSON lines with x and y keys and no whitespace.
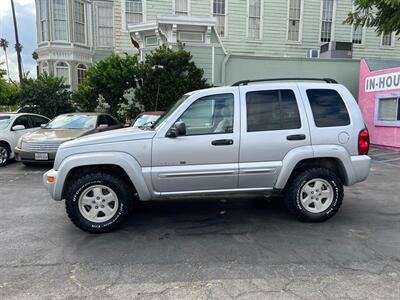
{"x":302,"y":139}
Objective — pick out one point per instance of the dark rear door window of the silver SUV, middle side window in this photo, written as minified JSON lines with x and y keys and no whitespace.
{"x":272,"y":110}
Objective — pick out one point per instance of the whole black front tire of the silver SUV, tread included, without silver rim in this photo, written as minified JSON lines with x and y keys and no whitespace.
{"x":121,"y":189}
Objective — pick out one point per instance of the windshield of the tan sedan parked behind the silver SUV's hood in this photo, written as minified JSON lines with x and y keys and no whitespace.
{"x":73,"y":122}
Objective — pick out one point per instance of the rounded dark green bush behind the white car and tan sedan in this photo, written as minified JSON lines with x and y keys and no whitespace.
{"x":46,"y":95}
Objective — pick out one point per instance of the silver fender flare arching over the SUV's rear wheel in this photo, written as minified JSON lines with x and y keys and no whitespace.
{"x":296,"y":155}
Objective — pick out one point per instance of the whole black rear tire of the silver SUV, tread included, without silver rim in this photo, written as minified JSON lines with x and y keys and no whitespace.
{"x":293,"y":191}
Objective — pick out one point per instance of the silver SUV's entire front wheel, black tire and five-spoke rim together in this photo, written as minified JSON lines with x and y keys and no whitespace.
{"x":98,"y":202}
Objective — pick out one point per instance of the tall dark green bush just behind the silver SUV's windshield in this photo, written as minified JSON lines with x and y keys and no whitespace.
{"x":165,"y":76}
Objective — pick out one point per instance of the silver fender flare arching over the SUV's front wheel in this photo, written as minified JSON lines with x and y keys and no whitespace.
{"x":123,"y":160}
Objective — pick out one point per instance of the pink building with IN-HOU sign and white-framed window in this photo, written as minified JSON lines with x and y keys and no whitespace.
{"x":378,"y":98}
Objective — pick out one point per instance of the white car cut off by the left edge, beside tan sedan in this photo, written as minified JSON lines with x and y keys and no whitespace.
{"x":12,"y":127}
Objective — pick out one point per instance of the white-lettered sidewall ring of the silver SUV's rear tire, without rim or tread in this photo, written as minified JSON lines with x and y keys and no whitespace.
{"x":331,"y":210}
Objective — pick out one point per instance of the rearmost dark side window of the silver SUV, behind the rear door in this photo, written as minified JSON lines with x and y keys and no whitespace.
{"x":328,"y":108}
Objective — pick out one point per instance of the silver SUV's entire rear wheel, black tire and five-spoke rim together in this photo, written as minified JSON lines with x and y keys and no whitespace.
{"x":314,"y":195}
